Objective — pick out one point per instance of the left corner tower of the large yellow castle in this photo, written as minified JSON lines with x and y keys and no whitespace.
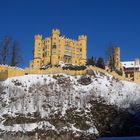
{"x":38,"y":51}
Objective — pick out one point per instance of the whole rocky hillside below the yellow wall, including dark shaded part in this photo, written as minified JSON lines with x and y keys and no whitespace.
{"x":62,"y":107}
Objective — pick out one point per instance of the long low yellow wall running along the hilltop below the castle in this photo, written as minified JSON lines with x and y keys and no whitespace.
{"x":7,"y":72}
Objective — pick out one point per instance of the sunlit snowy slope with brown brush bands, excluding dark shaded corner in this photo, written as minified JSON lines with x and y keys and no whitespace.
{"x":59,"y":102}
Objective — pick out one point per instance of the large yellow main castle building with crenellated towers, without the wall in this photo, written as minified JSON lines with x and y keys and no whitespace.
{"x":55,"y":49}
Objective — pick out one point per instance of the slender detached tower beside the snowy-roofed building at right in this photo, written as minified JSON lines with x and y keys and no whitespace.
{"x":117,"y":64}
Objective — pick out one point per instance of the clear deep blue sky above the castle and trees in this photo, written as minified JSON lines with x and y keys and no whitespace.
{"x":103,"y":21}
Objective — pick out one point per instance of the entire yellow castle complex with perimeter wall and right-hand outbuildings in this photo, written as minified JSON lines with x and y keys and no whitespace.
{"x":55,"y":50}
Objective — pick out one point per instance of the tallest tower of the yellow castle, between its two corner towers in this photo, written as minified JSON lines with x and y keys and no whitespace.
{"x":54,"y":46}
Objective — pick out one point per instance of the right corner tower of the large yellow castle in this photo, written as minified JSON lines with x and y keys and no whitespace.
{"x":82,"y":46}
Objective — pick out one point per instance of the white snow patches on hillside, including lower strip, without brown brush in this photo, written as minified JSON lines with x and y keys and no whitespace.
{"x":45,"y":90}
